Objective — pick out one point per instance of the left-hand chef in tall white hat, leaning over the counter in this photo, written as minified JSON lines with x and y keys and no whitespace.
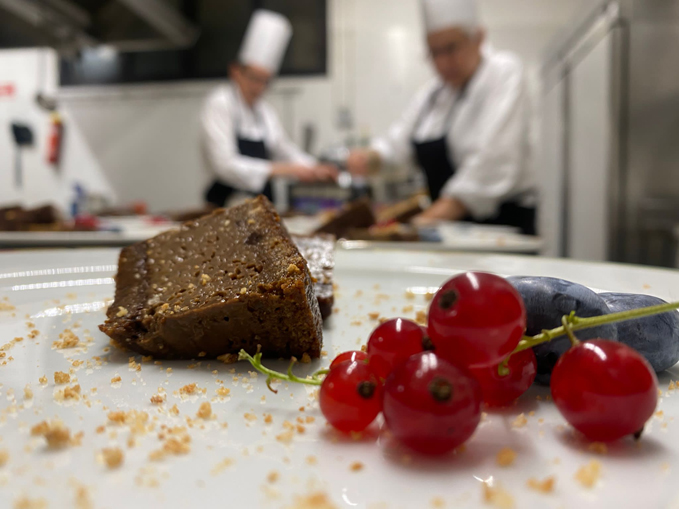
{"x":243,"y":141}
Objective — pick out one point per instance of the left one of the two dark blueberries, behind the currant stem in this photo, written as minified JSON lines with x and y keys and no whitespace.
{"x":548,"y":299}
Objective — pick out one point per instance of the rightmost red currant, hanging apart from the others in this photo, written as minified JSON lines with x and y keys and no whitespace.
{"x":604,"y":389}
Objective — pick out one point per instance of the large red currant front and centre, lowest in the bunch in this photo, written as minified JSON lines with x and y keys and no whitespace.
{"x":430,"y":405}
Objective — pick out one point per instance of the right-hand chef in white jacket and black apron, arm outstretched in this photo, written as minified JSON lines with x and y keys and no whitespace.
{"x":468,"y":130}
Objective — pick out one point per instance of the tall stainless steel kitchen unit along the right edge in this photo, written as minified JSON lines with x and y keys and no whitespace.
{"x":610,"y":148}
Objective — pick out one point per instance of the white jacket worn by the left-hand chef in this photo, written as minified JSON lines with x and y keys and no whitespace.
{"x":225,"y":117}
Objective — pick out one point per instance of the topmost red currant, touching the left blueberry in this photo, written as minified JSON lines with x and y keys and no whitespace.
{"x":476,"y":319}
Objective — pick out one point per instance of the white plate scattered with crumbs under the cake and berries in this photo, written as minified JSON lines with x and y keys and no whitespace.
{"x":68,"y":289}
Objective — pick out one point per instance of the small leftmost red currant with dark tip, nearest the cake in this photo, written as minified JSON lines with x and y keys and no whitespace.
{"x":350,"y":396}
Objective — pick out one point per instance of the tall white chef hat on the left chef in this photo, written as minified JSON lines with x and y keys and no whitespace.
{"x":266,"y":40}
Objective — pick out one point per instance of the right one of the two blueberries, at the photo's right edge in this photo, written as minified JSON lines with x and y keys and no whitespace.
{"x":655,"y":337}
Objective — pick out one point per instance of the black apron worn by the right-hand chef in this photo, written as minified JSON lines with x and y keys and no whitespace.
{"x":439,"y":166}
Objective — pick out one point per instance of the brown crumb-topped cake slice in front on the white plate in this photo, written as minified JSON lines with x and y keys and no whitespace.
{"x":230,"y":280}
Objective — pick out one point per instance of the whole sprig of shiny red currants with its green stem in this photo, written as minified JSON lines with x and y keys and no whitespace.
{"x":430,"y":383}
